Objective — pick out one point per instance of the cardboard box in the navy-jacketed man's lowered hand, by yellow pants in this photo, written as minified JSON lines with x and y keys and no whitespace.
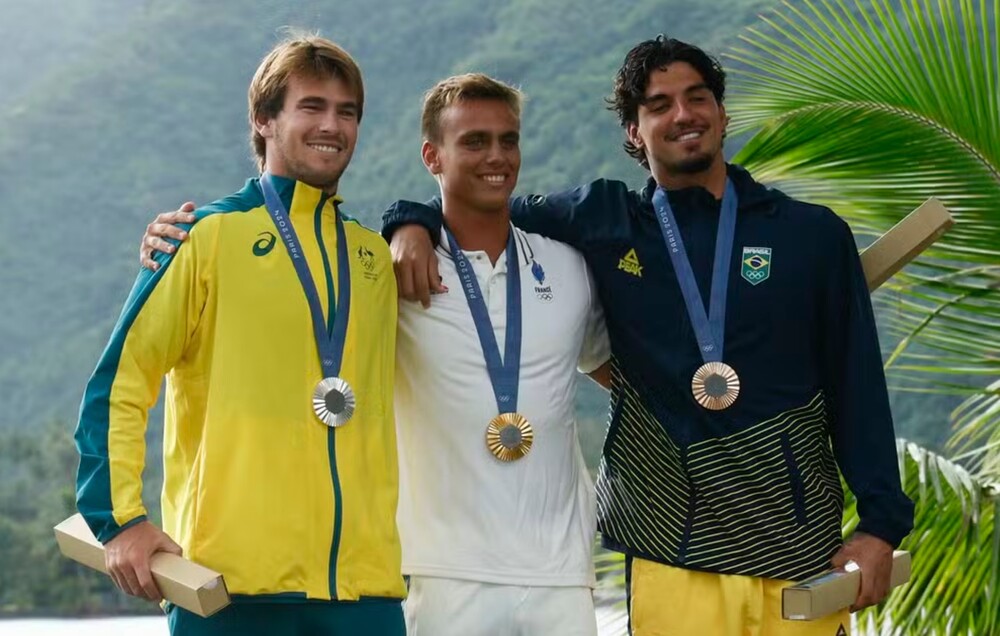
{"x":834,"y":590}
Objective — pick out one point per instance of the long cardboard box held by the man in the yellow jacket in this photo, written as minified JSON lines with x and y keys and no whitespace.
{"x":182,"y":582}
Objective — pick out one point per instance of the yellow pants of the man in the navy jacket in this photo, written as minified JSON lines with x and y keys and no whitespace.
{"x":669,"y":601}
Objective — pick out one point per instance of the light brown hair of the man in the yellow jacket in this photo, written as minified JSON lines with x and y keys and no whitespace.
{"x":302,"y":55}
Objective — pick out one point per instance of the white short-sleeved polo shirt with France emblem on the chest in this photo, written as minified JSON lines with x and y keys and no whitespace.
{"x":463,"y":514}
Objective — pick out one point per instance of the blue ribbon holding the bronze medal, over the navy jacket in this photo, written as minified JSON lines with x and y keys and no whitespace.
{"x":710,"y":329}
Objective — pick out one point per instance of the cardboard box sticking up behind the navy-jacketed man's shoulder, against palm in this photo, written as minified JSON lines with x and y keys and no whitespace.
{"x":904,"y":242}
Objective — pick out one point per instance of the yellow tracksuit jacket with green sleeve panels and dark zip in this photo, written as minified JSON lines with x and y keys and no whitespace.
{"x":255,"y":486}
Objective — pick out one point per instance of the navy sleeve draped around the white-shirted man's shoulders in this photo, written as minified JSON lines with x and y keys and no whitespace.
{"x":573,"y":216}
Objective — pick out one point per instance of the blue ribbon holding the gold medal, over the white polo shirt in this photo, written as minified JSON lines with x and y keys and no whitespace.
{"x":504,"y":374}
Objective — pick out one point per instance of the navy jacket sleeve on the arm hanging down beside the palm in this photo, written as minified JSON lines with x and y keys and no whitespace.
{"x":860,"y":421}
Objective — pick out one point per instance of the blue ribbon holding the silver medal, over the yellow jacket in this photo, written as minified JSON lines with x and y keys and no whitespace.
{"x":330,"y":342}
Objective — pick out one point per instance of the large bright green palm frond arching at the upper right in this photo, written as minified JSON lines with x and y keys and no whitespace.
{"x":870,"y":110}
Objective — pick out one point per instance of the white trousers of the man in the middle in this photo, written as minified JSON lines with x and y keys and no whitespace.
{"x":453,"y":607}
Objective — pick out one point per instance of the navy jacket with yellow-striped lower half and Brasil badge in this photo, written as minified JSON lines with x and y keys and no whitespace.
{"x":752,"y":489}
